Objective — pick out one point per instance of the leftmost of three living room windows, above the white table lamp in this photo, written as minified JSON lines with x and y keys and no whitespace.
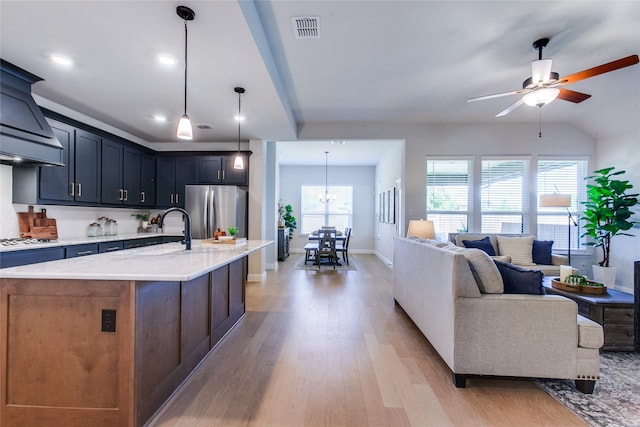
{"x":448,"y":194}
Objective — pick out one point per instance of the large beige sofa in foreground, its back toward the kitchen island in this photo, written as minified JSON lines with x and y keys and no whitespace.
{"x":499,"y":334}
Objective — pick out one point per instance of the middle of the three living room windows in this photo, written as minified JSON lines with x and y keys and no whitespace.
{"x":504,"y":203}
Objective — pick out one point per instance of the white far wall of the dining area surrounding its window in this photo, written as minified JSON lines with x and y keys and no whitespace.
{"x":362,"y":179}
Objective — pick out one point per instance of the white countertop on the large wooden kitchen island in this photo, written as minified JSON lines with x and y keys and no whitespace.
{"x":169,"y":261}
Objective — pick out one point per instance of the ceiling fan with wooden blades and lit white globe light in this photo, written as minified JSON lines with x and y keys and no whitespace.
{"x":543,"y":85}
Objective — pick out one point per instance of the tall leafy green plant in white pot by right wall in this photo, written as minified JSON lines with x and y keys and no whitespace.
{"x":607,"y":214}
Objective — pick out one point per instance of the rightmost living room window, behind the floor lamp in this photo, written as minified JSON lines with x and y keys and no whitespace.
{"x":563,"y":177}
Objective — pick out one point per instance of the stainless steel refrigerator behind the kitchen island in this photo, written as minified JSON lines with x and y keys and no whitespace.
{"x":216,"y":206}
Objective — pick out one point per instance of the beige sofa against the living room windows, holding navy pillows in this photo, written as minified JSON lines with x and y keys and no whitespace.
{"x":503,"y":253}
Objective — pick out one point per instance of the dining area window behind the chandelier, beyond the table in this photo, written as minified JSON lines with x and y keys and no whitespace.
{"x":316,"y":213}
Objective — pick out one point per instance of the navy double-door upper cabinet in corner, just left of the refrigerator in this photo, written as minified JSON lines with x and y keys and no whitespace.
{"x":172,"y":174}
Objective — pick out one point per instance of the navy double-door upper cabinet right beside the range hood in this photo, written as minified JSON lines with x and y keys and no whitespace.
{"x":79,"y":180}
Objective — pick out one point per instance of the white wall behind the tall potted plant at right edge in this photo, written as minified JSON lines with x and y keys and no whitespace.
{"x":622,"y":152}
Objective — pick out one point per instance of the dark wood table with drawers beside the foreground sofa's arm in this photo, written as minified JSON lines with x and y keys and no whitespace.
{"x":613,"y":310}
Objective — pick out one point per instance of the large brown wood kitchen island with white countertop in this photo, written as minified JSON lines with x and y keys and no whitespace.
{"x":105,"y":340}
